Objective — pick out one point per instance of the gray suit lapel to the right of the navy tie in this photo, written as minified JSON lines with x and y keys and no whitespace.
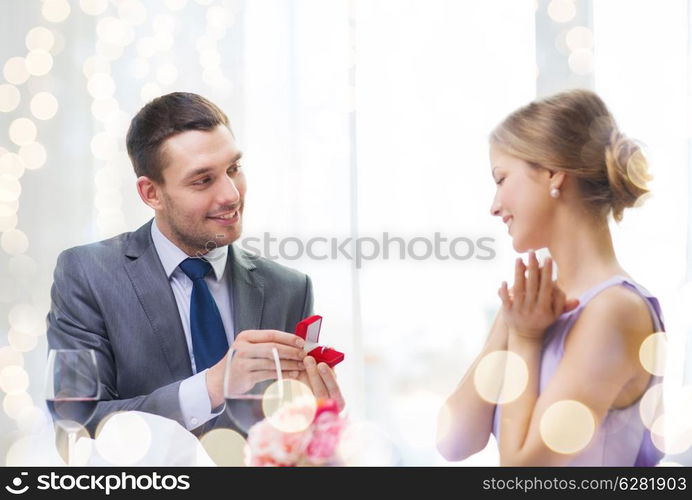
{"x":247,"y":290}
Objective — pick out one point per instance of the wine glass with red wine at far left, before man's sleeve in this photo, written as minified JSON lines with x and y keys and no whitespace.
{"x":72,"y":391}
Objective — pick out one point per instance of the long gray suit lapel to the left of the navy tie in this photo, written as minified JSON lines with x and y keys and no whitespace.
{"x":156,"y":296}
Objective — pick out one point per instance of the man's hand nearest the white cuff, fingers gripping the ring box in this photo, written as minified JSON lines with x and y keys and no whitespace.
{"x":253,"y":361}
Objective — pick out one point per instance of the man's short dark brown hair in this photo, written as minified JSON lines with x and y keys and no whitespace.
{"x":165,"y":117}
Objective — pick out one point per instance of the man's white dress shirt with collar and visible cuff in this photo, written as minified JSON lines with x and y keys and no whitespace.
{"x":193,"y":395}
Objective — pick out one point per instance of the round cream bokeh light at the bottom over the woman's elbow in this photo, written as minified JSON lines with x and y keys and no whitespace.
{"x":567,"y":426}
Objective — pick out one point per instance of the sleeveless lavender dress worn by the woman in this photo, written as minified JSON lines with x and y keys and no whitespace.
{"x":622,"y":439}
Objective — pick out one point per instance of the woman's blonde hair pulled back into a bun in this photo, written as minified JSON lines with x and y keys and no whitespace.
{"x":574,"y":132}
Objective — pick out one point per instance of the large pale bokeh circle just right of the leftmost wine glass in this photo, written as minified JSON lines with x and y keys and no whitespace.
{"x":123,"y":438}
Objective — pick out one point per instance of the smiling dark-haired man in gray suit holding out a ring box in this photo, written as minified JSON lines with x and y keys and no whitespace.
{"x":160,"y":306}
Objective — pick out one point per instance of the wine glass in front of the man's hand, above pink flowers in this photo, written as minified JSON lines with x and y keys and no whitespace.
{"x":244,"y":399}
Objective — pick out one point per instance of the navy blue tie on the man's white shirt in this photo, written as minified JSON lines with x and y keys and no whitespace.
{"x":209,"y":343}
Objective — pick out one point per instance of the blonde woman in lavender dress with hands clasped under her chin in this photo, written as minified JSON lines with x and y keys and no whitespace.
{"x":562,"y":166}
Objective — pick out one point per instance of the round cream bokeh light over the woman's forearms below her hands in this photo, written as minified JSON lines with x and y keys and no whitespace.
{"x":501,"y":377}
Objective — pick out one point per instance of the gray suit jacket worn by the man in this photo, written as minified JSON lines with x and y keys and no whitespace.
{"x":113,"y":296}
